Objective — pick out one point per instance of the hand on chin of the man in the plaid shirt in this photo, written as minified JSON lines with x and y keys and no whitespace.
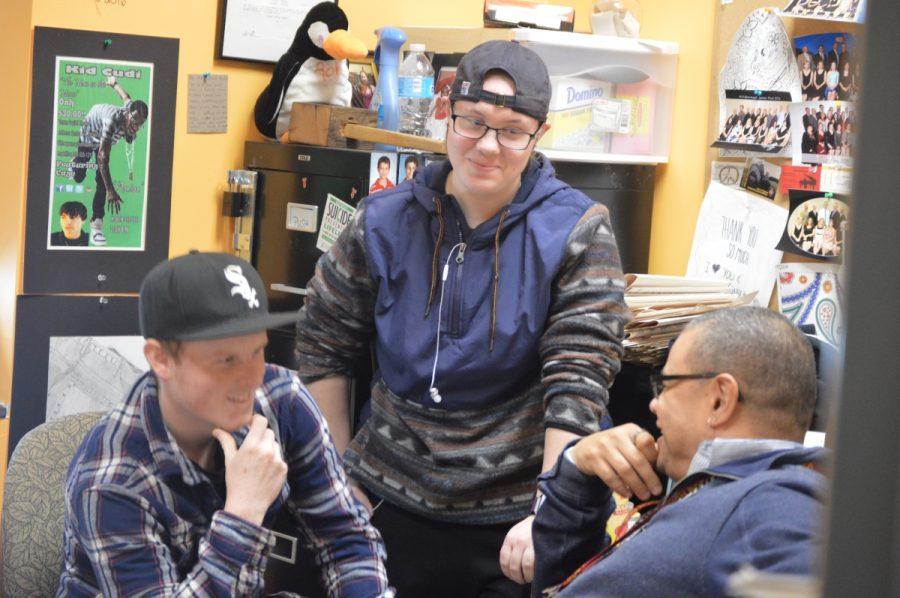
{"x":255,"y":473}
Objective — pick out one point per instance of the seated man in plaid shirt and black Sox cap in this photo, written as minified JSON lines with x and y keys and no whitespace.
{"x":172,"y":492}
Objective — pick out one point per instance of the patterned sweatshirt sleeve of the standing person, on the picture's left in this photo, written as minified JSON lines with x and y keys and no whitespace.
{"x":337,"y":321}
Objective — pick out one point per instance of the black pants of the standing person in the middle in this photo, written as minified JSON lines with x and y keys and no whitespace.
{"x":433,"y":559}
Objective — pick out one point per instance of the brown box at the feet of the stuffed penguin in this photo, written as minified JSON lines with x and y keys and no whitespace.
{"x":320,"y":124}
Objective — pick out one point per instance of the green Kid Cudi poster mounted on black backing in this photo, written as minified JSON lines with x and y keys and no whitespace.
{"x":100,"y":160}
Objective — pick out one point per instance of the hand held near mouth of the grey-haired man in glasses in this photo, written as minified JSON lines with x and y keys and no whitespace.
{"x":623,"y":457}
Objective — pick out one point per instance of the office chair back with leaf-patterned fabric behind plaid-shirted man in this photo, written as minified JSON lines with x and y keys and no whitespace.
{"x":34,"y":506}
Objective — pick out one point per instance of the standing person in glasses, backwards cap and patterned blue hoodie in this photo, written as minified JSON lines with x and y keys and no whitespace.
{"x":492,"y":295}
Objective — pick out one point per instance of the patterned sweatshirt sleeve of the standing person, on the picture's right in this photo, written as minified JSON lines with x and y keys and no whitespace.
{"x":581,"y":347}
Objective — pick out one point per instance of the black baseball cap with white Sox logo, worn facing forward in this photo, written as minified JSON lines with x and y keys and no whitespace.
{"x":205,"y":296}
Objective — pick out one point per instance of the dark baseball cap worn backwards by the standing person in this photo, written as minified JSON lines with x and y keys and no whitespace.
{"x":524,"y":67}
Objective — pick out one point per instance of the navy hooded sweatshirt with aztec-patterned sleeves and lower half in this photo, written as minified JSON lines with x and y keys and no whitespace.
{"x":531,"y":324}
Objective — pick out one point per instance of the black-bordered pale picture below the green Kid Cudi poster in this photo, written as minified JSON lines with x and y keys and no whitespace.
{"x":72,"y":354}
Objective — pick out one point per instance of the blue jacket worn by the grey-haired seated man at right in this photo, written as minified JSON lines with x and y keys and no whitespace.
{"x":762,"y":511}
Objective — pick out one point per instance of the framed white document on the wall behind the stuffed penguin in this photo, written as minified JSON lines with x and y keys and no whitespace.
{"x":260,"y":30}
